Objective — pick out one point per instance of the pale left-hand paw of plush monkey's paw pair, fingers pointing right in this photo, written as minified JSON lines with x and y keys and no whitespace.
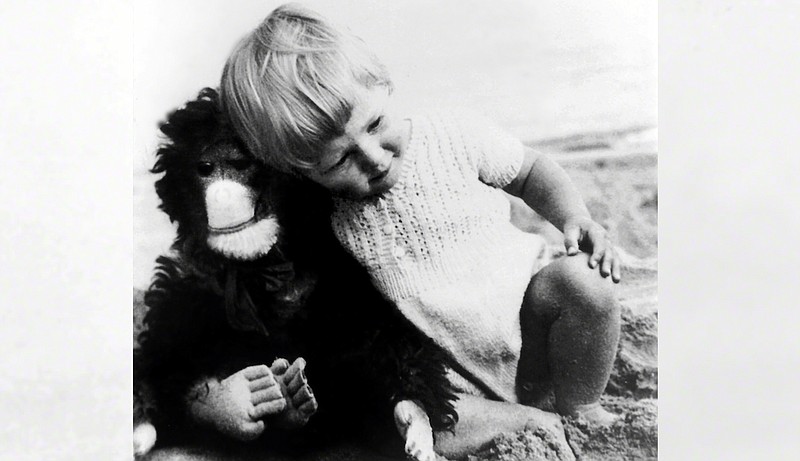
{"x":237,"y":404}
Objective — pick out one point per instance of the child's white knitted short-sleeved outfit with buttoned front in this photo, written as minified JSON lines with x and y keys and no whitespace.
{"x":441,"y":246}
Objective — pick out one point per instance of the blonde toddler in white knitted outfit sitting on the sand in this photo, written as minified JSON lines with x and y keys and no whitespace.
{"x":419,"y":202}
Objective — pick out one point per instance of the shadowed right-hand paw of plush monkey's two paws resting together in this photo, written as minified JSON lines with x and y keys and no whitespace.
{"x":300,"y":401}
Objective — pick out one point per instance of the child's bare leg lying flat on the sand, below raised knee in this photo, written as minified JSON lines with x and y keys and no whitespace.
{"x":480,"y":421}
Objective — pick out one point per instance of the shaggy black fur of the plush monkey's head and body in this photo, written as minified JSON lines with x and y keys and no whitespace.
{"x":362,"y":355}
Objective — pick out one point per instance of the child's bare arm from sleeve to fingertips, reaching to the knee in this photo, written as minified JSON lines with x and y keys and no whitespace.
{"x":546,"y":188}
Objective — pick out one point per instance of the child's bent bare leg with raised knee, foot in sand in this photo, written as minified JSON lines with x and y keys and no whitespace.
{"x":570,"y":320}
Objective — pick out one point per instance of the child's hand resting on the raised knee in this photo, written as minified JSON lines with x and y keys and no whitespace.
{"x":585,"y":234}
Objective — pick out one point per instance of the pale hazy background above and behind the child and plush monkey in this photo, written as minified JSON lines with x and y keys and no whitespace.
{"x":571,"y":76}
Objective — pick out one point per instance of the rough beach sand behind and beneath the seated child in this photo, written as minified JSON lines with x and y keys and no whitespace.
{"x":617,"y":175}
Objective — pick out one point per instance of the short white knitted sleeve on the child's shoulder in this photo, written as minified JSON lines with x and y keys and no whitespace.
{"x":495,"y":153}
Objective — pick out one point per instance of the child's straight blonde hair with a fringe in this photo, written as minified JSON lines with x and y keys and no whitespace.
{"x":289,"y":85}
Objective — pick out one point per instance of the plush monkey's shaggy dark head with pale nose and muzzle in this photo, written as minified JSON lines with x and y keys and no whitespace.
{"x":219,"y":196}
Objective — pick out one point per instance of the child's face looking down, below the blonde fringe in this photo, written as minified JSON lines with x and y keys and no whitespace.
{"x":368,"y":158}
